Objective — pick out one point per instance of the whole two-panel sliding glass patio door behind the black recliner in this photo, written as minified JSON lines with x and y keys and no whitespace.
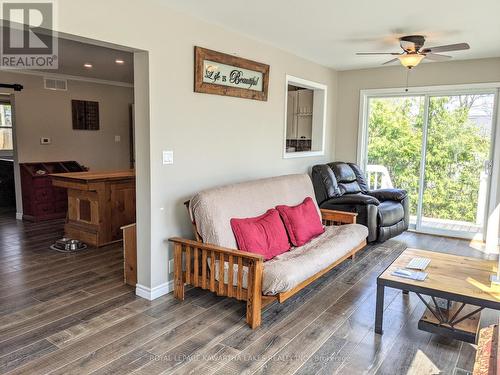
{"x":437,"y":146}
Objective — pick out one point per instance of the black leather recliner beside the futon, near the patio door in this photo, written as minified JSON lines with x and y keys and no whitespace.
{"x":342,"y":186}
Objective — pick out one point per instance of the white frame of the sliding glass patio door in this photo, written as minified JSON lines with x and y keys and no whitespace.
{"x":427,"y":92}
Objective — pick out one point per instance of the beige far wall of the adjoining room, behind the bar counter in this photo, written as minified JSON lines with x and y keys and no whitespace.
{"x":47,"y":113}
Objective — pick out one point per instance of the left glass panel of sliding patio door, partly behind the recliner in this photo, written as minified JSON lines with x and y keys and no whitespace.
{"x":395,"y":131}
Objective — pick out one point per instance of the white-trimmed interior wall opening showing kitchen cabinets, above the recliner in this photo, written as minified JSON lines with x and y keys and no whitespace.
{"x":305,"y":116}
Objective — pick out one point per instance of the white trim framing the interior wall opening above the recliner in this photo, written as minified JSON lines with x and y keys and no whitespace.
{"x":313,"y":86}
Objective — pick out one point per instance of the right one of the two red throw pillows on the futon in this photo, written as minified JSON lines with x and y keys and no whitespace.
{"x":302,"y":222}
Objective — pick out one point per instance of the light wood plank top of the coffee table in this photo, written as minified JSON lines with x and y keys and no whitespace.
{"x":452,"y":274}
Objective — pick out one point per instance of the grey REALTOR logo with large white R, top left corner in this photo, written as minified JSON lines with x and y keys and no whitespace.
{"x":28,"y":40}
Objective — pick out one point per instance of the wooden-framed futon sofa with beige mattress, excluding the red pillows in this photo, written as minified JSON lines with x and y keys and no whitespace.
{"x":213,"y":260}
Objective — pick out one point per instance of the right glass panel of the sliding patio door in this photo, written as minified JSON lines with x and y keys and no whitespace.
{"x":455,"y":187}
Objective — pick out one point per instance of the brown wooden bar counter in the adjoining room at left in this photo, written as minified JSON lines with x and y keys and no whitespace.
{"x":99,"y":204}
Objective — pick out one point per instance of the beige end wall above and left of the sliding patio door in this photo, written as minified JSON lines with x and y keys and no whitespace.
{"x":427,"y":74}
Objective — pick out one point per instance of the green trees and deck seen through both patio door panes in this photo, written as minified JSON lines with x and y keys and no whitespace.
{"x":458,"y":144}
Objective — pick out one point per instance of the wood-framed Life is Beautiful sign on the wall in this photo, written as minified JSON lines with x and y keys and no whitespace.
{"x":222,"y":74}
